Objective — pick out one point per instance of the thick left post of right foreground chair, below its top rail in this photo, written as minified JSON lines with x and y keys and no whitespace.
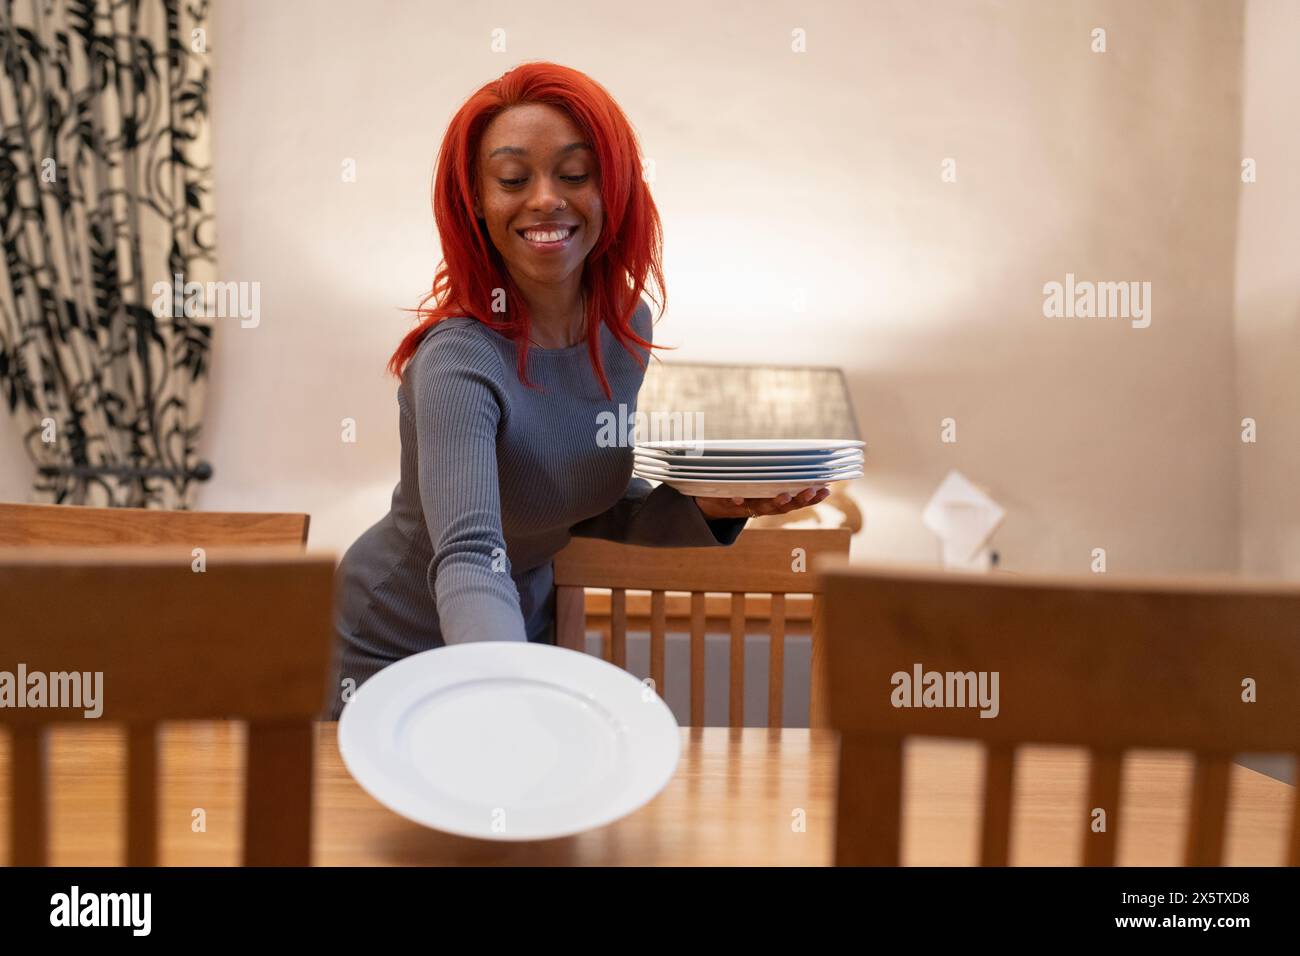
{"x":869,"y":802}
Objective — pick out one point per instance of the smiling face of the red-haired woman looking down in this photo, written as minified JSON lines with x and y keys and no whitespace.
{"x":539,"y":193}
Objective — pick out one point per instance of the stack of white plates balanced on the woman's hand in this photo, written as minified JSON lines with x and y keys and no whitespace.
{"x":748,"y":468}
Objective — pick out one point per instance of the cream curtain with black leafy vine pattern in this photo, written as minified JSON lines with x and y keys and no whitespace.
{"x":106,"y":193}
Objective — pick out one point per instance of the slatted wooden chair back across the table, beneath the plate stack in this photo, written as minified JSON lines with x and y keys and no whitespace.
{"x":775,"y":561}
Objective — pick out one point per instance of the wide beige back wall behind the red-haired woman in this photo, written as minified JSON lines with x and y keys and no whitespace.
{"x":785,"y":176}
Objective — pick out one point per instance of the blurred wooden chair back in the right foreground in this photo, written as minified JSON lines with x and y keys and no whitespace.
{"x":1206,"y":665}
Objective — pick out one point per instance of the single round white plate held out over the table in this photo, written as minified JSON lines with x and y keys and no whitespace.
{"x":502,"y":741}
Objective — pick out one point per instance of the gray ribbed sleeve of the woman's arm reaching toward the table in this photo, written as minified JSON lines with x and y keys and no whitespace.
{"x":458,"y":409}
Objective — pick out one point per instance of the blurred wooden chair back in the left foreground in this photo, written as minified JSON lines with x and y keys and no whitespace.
{"x":248,"y":639}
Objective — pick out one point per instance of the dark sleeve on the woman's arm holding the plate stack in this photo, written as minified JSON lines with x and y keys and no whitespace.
{"x":660,"y":517}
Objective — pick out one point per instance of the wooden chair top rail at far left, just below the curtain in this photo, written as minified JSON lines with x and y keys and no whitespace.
{"x":86,"y":527}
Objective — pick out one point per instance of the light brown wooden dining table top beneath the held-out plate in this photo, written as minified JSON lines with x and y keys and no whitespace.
{"x":739,"y":798}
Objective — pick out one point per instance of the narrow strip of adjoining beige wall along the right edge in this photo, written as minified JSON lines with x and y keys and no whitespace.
{"x":1268,"y":292}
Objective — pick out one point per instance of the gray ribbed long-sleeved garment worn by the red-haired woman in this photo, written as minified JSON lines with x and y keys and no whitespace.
{"x":496,"y":479}
